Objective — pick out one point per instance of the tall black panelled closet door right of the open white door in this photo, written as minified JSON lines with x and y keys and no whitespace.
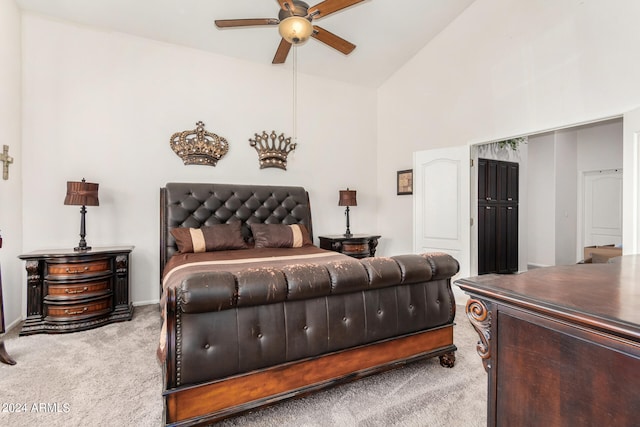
{"x":497,"y":216}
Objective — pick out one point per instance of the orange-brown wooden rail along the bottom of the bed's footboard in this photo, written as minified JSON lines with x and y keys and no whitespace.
{"x":216,"y":400}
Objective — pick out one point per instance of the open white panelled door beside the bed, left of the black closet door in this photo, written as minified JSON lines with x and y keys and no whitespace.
{"x":441,"y":203}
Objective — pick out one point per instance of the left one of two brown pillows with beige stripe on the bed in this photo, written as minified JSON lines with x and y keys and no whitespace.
{"x":219,"y":237}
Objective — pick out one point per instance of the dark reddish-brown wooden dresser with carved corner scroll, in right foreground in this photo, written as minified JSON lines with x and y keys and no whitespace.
{"x":561,"y":345}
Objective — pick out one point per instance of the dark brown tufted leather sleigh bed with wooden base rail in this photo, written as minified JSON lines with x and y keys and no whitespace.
{"x":250,"y":326}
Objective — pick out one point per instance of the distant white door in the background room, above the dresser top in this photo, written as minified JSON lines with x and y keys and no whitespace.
{"x":602,"y":196}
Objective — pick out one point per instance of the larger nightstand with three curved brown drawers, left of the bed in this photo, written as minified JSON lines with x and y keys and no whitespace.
{"x":69,"y":291}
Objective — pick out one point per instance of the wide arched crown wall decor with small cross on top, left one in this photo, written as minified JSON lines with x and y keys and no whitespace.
{"x":198,"y":146}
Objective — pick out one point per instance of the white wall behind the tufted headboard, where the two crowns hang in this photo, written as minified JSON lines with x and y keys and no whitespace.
{"x":103,"y":106}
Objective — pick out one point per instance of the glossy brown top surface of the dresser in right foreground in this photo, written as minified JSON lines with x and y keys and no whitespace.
{"x":603,"y":295}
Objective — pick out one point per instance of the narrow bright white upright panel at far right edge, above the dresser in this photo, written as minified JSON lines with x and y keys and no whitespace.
{"x":631,"y":183}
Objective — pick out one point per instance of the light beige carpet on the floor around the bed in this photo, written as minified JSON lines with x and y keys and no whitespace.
{"x":109,"y":376}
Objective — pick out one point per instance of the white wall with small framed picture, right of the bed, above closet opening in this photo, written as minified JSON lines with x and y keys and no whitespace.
{"x":504,"y":68}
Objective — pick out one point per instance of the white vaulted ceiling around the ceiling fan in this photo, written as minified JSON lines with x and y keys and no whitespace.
{"x":387,"y":33}
